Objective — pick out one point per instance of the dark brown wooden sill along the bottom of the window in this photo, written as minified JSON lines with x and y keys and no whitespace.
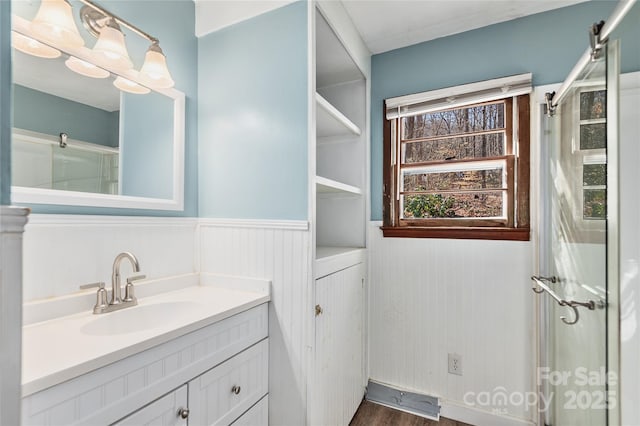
{"x":467,"y":233}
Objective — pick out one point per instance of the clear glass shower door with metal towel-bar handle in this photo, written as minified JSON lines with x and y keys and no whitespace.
{"x":579,"y":379}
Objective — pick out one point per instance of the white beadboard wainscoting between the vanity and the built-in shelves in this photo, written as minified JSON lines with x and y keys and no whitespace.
{"x":280,"y":252}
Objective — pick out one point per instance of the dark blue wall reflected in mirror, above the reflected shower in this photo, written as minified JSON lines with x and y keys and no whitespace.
{"x":44,"y":113}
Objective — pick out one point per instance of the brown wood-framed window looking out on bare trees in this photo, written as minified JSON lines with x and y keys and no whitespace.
{"x":457,"y":171}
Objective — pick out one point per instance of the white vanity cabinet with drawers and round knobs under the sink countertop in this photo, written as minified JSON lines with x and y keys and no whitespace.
{"x":218,"y":372}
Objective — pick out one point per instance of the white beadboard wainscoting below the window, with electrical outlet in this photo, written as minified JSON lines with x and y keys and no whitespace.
{"x":430,"y":297}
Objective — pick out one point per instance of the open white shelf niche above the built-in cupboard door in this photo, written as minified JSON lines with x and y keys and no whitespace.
{"x":340,"y":181}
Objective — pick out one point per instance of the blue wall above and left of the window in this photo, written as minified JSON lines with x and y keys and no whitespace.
{"x":546,"y":44}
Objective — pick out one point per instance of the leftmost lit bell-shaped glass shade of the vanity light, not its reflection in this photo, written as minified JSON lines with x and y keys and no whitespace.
{"x":54,"y":23}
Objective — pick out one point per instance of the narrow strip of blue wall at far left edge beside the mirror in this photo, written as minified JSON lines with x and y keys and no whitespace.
{"x":5,"y":103}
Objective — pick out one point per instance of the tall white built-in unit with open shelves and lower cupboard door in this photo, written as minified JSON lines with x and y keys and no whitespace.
{"x":338,"y":194}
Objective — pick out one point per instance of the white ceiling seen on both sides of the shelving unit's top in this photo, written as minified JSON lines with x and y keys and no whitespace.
{"x":389,"y":24}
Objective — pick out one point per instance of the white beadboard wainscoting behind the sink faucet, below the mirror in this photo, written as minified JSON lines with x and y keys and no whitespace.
{"x":62,"y":252}
